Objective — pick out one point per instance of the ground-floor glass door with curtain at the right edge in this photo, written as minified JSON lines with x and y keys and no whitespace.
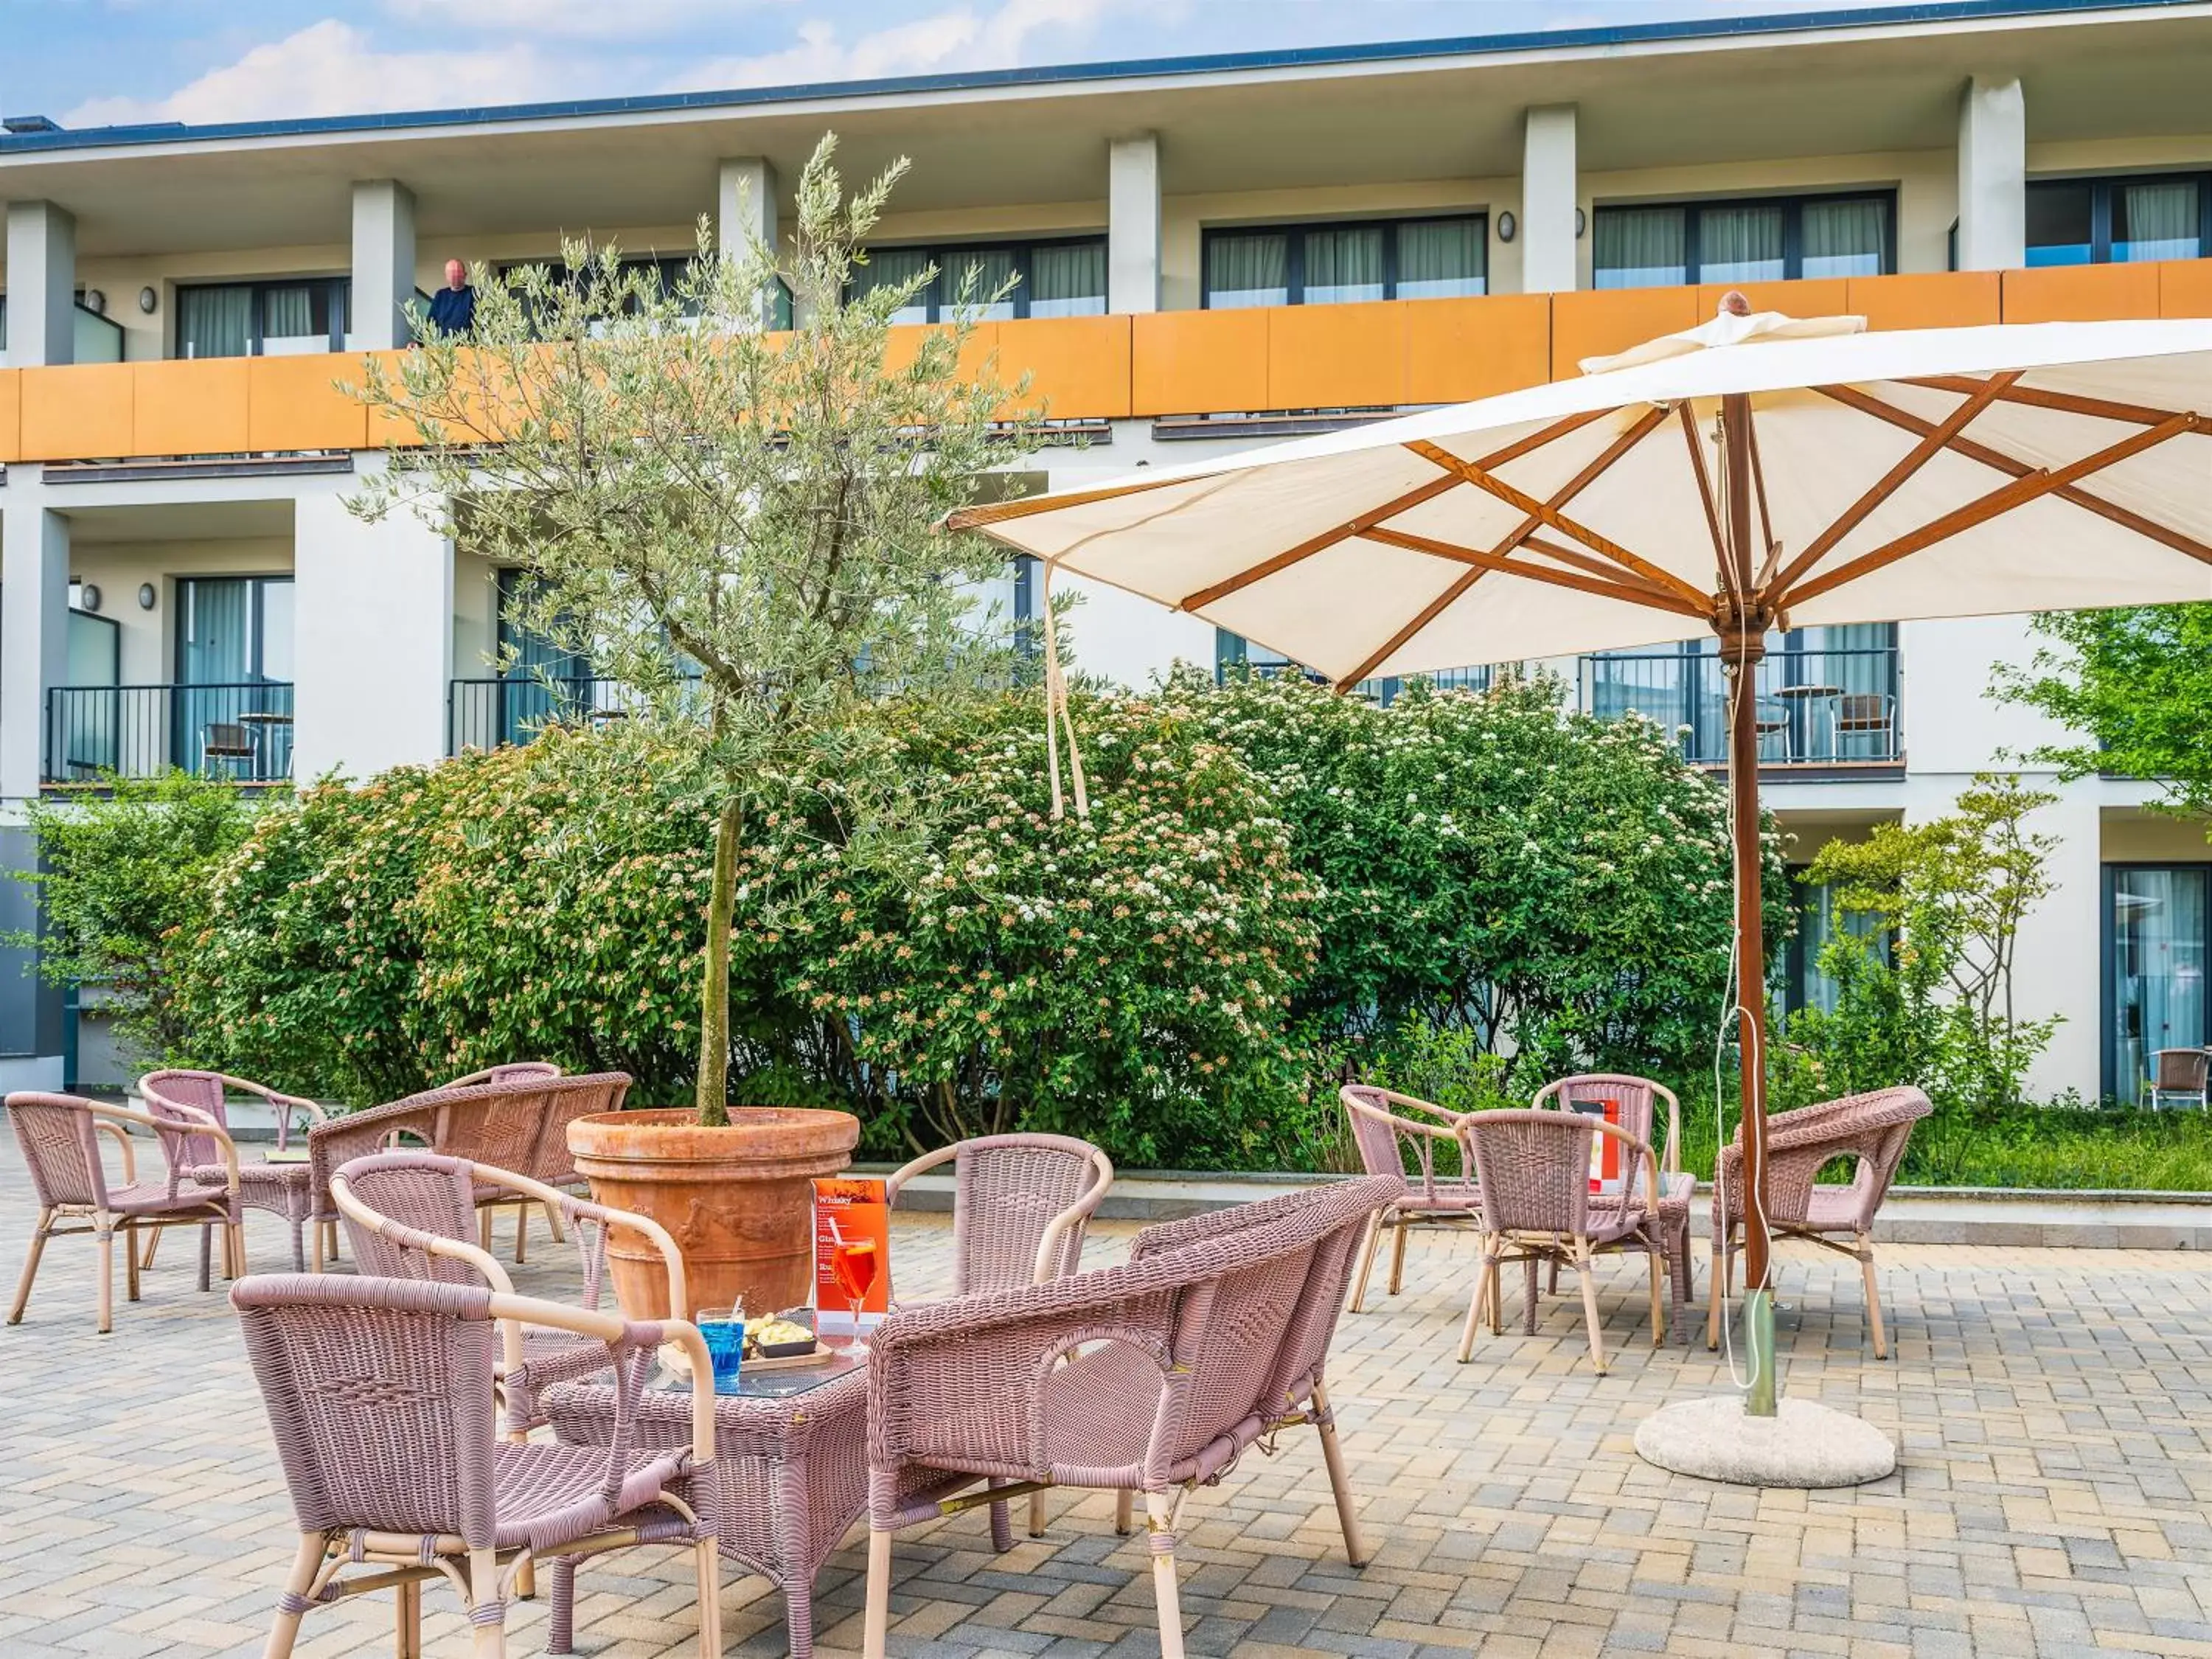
{"x":2156,"y":970}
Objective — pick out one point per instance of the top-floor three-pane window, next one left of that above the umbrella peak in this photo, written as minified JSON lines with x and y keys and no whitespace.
{"x":1350,"y":262}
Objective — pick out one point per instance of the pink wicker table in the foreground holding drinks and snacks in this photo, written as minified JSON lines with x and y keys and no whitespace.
{"x":791,"y":1474}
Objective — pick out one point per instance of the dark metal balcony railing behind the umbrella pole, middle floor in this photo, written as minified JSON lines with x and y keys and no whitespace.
{"x":1815,"y":707}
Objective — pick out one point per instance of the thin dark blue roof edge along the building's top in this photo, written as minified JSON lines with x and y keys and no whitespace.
{"x":1530,"y":41}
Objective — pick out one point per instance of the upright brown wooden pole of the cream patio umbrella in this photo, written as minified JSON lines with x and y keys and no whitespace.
{"x":1742,"y":625}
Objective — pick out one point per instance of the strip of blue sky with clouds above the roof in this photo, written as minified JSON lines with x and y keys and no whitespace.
{"x":94,"y":63}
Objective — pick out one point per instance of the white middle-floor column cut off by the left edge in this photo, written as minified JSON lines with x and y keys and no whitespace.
{"x":34,"y":625}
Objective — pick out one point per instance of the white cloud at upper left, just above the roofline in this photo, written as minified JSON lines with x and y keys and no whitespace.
{"x":335,"y":70}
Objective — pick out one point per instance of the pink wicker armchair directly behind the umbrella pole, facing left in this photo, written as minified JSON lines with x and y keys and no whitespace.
{"x":1872,"y":1131}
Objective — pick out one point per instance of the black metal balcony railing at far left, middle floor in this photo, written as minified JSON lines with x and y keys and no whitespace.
{"x":240,"y":731}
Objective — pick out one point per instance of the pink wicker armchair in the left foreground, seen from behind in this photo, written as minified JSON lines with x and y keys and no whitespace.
{"x":379,"y":1395}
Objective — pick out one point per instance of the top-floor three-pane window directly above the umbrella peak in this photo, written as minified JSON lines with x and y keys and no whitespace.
{"x":1764,"y":240}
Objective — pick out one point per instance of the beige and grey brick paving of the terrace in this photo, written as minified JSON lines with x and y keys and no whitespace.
{"x":2054,"y":1494}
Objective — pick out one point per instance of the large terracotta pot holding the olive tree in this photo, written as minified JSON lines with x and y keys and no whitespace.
{"x":740,"y":1200}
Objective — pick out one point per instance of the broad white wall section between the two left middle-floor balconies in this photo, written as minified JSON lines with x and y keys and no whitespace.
{"x":373,"y":638}
